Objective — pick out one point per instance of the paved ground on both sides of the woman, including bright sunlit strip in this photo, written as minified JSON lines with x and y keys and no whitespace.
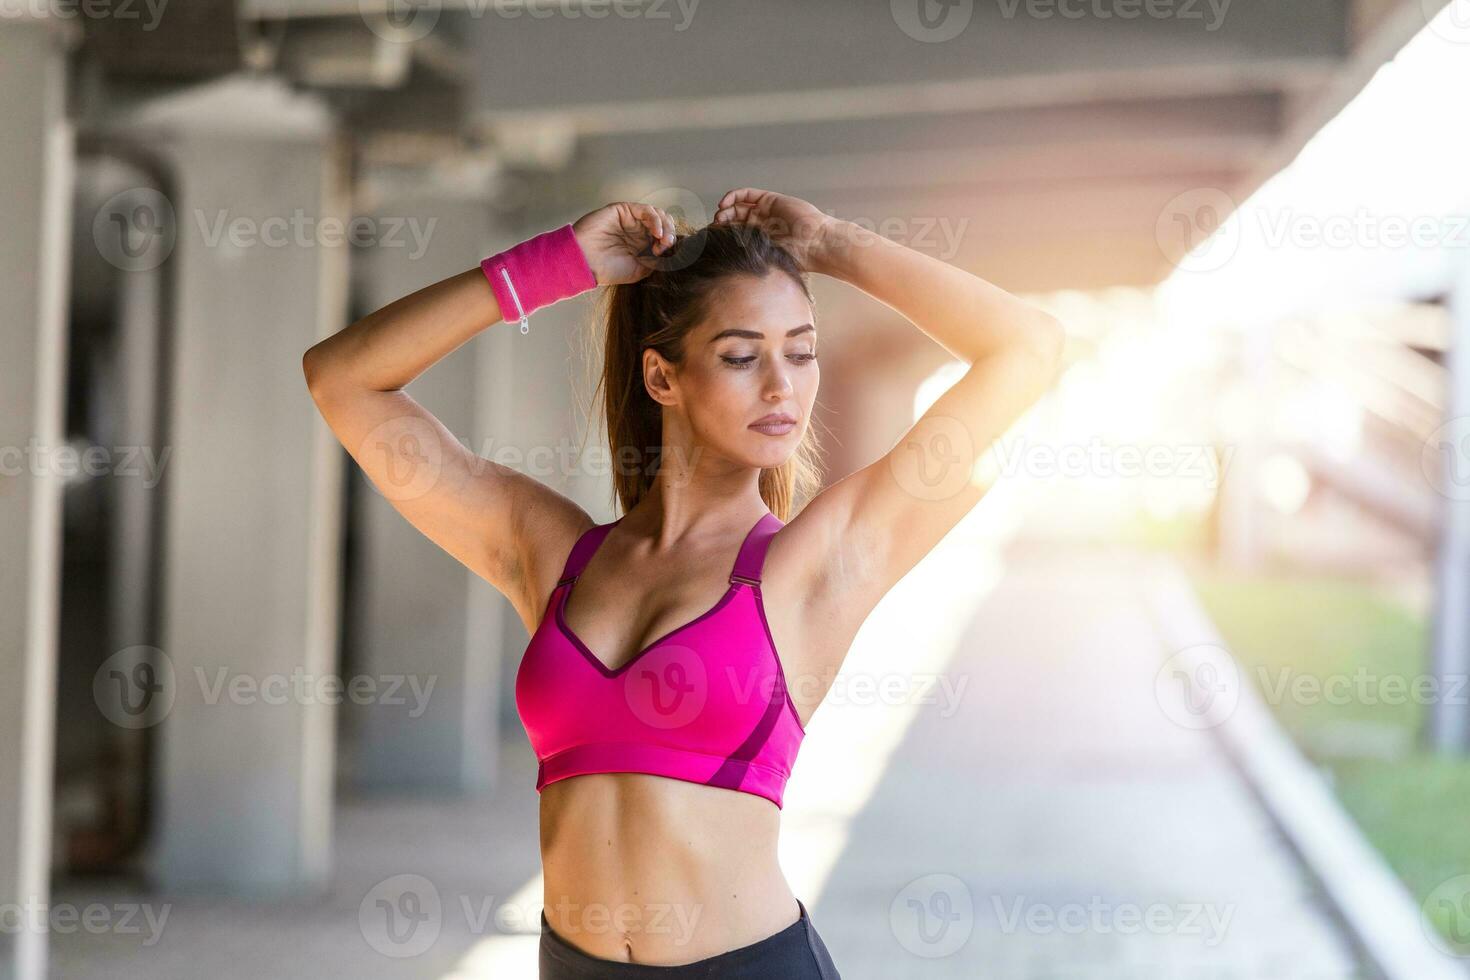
{"x":993,"y":793}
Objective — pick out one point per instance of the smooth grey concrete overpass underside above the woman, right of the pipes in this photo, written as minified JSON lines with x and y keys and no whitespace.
{"x":1041,"y":151}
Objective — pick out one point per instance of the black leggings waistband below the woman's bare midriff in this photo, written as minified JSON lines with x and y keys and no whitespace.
{"x":793,"y":954}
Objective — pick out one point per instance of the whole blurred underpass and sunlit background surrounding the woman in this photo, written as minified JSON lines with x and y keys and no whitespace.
{"x":1184,"y":697}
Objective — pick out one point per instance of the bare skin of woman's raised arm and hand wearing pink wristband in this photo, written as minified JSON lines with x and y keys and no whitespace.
{"x":506,"y":527}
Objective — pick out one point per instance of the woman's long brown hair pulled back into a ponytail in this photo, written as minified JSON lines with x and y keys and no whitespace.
{"x":658,"y":312}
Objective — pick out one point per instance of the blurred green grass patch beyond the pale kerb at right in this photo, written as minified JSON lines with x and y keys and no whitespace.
{"x":1410,"y":804}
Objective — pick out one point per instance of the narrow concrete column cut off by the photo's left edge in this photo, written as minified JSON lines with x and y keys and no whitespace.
{"x":36,"y":159}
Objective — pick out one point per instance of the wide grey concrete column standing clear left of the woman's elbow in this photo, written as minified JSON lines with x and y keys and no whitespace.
{"x":254,"y":484}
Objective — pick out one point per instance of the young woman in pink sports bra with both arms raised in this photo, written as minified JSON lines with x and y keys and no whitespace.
{"x":678,"y":653}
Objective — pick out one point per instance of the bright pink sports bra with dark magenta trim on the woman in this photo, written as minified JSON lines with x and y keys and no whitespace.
{"x":706,"y":703}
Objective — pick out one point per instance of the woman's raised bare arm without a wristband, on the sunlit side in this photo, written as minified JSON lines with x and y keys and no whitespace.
{"x":855,"y":540}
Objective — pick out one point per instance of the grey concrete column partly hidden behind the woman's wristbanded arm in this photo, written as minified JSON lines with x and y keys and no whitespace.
{"x":418,"y":618}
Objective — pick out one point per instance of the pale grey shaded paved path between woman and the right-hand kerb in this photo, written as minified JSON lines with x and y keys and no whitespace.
{"x":1087,"y":834}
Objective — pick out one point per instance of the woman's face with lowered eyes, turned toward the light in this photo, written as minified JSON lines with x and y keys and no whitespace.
{"x":753,"y":356}
